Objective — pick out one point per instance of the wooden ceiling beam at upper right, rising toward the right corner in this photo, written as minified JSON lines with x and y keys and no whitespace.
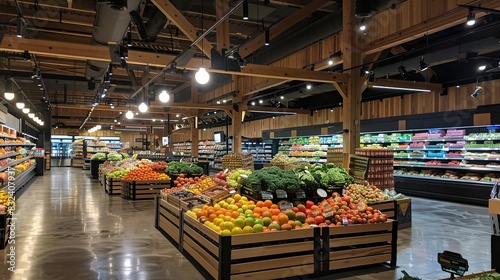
{"x":430,"y":26}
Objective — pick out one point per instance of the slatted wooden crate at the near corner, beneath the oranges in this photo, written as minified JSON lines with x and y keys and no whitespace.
{"x":273,"y":255}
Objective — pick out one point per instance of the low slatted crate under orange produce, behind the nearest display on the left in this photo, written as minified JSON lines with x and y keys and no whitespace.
{"x":138,"y":190}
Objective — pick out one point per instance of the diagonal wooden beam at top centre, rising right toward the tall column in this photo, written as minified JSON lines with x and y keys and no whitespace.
{"x":283,"y":25}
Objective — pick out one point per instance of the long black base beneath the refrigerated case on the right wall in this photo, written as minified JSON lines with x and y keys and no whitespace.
{"x":456,"y":191}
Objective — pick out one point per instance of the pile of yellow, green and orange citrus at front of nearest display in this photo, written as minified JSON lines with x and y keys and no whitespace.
{"x":239,"y":215}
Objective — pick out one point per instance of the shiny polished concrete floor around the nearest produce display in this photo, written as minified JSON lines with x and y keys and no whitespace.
{"x":68,"y":228}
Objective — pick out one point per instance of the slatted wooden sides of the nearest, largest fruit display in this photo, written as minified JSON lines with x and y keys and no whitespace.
{"x":315,"y":251}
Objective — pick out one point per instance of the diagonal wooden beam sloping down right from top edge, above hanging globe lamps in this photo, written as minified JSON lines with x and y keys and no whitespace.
{"x":174,"y":15}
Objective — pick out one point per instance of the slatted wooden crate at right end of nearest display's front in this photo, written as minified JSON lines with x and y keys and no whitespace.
{"x":359,"y":245}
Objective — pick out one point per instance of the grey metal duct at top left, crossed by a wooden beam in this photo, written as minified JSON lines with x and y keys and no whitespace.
{"x":111,"y":23}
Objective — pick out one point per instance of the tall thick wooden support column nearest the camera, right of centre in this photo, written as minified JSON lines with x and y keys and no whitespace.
{"x":352,"y":57}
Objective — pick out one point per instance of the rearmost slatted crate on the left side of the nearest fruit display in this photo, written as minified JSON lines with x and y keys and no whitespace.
{"x":168,"y":220}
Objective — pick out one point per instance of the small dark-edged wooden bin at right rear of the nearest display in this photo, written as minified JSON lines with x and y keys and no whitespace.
{"x":399,"y":209}
